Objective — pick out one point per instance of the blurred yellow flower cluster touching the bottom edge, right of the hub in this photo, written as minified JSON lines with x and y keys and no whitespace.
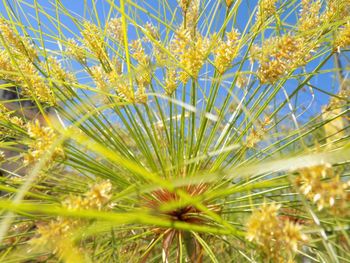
{"x":277,"y":239}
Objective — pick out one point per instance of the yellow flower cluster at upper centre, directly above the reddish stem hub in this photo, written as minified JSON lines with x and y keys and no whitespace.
{"x":191,"y":53}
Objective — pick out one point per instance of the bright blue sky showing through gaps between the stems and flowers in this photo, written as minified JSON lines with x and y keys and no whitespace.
{"x":82,"y":9}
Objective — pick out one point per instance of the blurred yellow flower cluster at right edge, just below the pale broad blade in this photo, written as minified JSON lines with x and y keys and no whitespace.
{"x":323,"y":186}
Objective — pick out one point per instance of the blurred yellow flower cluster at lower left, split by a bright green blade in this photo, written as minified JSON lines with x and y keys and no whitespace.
{"x":57,"y":233}
